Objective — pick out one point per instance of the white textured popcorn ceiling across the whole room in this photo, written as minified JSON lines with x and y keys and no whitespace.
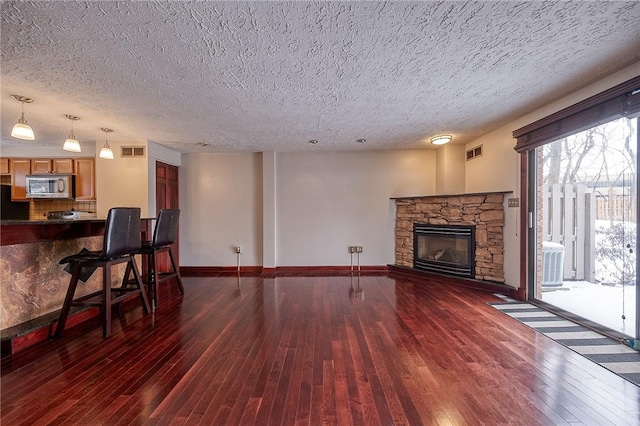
{"x":269,"y":76}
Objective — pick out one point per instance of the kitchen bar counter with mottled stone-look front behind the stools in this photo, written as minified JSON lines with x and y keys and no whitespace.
{"x":32,"y":282}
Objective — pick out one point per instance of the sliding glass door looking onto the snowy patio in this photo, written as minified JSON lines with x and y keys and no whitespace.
{"x":584,"y":227}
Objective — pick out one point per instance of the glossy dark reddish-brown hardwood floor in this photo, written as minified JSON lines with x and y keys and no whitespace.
{"x":311,"y":350}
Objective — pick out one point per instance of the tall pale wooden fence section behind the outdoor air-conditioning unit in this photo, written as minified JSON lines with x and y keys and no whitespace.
{"x":569,"y":218}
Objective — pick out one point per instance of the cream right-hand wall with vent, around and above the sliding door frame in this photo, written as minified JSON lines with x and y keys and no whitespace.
{"x":498,"y":169}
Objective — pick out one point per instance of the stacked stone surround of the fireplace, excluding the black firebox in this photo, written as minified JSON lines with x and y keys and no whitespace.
{"x":485,"y":211}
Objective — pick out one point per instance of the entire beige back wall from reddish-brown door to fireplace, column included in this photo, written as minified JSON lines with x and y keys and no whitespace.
{"x":324,"y":202}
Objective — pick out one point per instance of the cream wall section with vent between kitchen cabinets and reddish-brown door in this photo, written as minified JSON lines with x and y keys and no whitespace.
{"x":122,"y":182}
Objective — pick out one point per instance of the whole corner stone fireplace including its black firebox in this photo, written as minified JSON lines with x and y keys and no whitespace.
{"x":482,"y":214}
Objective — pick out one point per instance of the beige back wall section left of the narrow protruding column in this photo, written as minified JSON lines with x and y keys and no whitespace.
{"x":221,"y":202}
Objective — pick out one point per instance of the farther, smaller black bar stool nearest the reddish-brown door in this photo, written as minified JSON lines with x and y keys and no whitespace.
{"x":164,"y":234}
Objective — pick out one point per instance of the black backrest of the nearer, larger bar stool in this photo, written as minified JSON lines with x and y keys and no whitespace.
{"x":122,"y":231}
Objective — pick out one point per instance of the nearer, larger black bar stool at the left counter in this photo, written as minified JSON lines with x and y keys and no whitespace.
{"x":121,"y":241}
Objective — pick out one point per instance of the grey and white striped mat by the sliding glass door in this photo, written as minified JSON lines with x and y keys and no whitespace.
{"x":609,"y":353}
